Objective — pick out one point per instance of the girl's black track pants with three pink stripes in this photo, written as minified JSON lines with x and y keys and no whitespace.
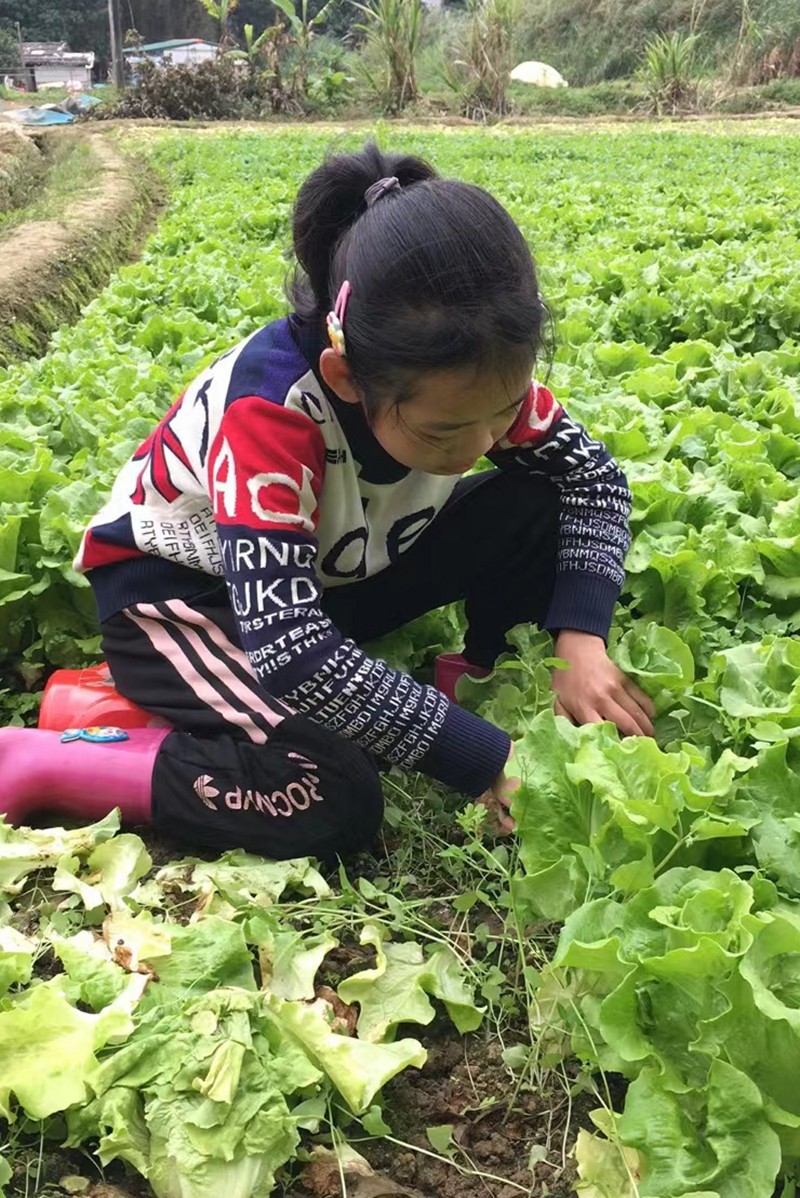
{"x":243,"y":770}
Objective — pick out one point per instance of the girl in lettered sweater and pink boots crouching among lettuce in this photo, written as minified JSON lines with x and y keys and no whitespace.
{"x":305,"y":495}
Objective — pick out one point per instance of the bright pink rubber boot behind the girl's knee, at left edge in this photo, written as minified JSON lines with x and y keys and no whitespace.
{"x":81,"y":778}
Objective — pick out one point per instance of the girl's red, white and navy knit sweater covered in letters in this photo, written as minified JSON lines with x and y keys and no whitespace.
{"x":260,"y":475}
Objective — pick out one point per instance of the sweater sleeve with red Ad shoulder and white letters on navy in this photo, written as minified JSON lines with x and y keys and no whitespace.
{"x":265,"y":480}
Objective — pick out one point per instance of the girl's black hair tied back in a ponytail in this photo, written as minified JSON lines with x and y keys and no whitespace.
{"x":441,"y":275}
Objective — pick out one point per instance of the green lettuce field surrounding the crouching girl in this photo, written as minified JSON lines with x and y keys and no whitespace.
{"x":626,"y":970}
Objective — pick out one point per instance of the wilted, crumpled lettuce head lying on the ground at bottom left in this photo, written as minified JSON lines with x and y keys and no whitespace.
{"x":199,"y":1099}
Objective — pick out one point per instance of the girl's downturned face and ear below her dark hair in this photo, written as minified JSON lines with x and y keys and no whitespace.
{"x":450,"y":421}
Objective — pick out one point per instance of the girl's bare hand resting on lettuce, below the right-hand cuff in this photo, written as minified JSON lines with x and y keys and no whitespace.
{"x":595,"y":689}
